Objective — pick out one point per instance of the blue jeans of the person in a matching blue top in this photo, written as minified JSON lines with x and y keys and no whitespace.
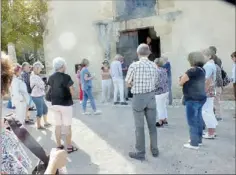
{"x":87,"y":94}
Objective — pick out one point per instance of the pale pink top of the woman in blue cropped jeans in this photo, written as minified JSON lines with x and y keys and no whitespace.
{"x":37,"y":85}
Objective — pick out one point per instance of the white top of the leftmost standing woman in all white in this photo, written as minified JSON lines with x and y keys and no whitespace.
{"x":18,"y":91}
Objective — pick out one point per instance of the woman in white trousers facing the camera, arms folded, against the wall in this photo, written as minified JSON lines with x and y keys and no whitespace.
{"x":106,"y":82}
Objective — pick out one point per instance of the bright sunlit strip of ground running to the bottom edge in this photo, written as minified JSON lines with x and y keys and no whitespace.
{"x":101,"y":152}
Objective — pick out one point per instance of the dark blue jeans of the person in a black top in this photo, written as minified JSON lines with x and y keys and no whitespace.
{"x":195,"y":121}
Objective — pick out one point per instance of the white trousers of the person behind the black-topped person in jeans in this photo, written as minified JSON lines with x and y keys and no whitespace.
{"x":208,"y":113}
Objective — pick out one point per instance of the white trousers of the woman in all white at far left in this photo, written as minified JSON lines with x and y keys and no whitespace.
{"x":21,"y":111}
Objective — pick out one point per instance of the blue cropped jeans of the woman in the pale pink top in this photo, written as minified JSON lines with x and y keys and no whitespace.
{"x":41,"y":106}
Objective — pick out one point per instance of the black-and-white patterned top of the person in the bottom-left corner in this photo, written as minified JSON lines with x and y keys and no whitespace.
{"x":14,"y":158}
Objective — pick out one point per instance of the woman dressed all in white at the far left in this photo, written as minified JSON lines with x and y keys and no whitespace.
{"x":19,"y":95}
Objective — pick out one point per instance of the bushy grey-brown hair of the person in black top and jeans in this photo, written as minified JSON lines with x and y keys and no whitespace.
{"x":196,"y":59}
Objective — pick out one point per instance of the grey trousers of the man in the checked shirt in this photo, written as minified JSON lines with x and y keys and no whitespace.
{"x":144,"y":105}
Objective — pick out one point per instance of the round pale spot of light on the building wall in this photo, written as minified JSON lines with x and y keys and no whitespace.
{"x":67,"y":40}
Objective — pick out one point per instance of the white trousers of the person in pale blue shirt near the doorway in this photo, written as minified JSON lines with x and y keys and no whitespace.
{"x":118,"y":88}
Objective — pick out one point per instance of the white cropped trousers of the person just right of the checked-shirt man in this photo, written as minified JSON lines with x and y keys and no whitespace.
{"x":161,"y":102}
